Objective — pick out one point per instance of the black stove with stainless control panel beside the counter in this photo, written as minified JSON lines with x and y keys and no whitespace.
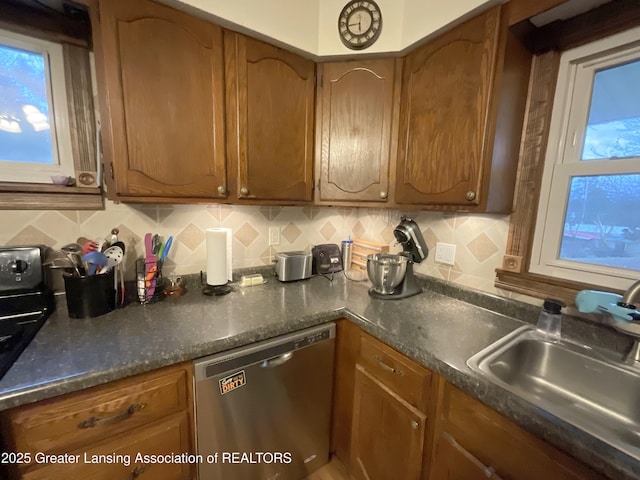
{"x":25,"y":300}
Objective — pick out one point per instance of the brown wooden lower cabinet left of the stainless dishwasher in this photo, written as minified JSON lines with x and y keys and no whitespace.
{"x":98,"y":433}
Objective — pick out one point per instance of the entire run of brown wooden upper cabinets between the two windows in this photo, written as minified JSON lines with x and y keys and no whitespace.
{"x":193,"y":114}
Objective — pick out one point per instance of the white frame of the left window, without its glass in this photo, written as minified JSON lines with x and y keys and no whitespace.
{"x":58,"y":115}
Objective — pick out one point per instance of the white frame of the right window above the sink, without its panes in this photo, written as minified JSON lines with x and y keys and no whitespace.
{"x":562,"y":161}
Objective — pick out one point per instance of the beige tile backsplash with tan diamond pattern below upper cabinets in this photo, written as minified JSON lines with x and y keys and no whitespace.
{"x":480,"y":239}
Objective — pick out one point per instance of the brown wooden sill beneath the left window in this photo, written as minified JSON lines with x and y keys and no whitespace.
{"x":29,"y":196}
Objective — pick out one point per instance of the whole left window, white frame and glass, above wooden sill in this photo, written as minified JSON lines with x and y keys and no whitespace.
{"x":35,"y":141}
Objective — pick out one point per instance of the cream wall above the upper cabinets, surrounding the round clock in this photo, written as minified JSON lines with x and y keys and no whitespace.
{"x":312,"y":25}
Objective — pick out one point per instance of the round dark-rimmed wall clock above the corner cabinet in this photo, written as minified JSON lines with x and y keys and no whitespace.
{"x":359,"y":24}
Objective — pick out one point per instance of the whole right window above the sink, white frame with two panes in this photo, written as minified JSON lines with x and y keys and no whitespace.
{"x":588,"y":223}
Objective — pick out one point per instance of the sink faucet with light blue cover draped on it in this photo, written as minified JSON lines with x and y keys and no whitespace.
{"x":621,"y":310}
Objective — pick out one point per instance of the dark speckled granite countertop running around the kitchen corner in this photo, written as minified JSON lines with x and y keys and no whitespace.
{"x":440,"y":328}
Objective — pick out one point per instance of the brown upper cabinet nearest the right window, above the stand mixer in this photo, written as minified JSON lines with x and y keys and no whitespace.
{"x":461,"y":116}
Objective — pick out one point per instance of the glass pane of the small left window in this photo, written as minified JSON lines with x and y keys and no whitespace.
{"x":25,"y":134}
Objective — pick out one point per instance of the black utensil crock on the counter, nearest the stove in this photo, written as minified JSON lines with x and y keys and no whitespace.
{"x":90,"y":296}
